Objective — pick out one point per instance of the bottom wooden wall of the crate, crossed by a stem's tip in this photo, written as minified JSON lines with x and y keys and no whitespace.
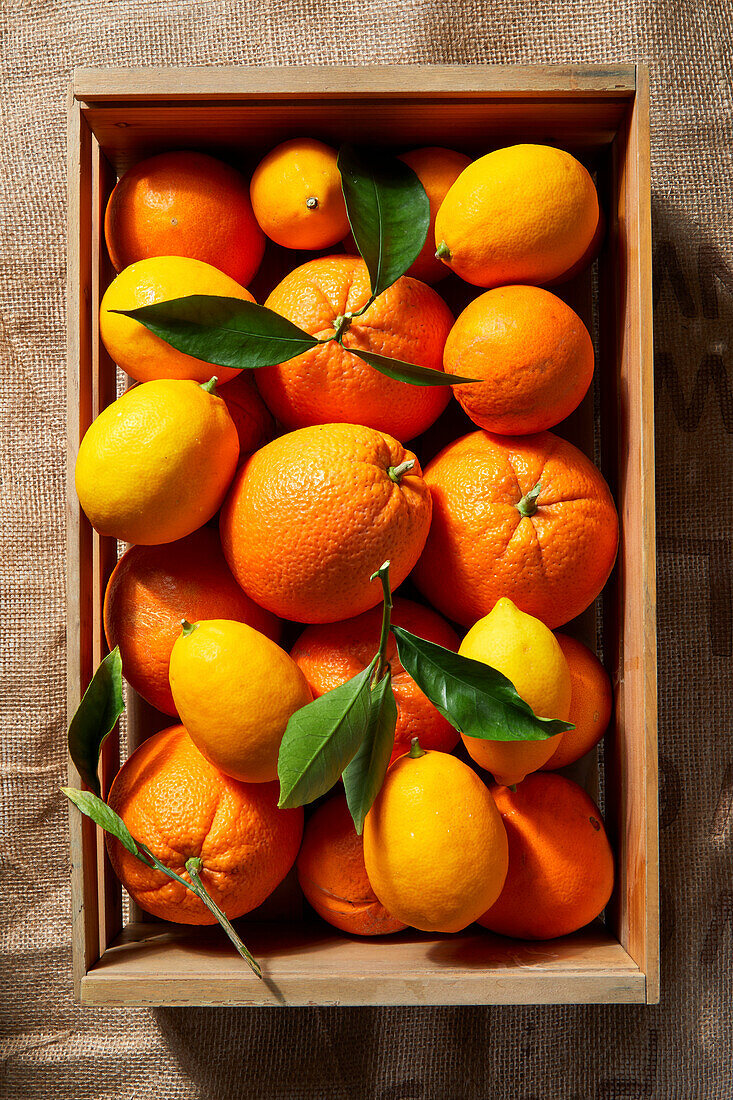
{"x":162,"y":964}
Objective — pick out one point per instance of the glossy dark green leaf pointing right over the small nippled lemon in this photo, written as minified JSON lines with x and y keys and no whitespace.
{"x":477,"y":700}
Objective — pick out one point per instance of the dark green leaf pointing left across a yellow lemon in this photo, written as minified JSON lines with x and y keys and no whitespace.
{"x":224,"y":332}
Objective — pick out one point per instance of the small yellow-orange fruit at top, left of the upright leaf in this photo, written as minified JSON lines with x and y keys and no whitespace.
{"x":297,"y":195}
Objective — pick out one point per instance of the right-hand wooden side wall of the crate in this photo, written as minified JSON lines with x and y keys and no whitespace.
{"x":631,"y":602}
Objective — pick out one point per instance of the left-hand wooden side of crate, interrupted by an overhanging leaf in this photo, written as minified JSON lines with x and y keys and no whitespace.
{"x":80,"y":588}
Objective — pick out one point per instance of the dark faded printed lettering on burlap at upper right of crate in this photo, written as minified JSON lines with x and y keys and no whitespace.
{"x":713,"y":375}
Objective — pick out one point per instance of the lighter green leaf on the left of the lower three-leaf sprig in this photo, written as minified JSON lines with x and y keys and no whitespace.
{"x":321,"y":740}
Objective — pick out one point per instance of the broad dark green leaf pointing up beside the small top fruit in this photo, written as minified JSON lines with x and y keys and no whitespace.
{"x":388,"y":210}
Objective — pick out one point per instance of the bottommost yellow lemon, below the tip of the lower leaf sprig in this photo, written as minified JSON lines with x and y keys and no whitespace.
{"x":435,"y":845}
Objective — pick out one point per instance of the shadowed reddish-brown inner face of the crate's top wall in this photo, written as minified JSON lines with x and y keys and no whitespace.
{"x":130,"y":133}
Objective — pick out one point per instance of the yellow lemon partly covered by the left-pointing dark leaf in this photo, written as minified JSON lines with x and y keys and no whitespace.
{"x":136,"y":349}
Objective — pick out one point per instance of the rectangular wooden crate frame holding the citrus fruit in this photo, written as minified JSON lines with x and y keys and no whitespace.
{"x":119,"y":116}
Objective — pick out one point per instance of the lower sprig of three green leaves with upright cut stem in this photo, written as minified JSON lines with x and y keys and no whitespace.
{"x":349,"y":732}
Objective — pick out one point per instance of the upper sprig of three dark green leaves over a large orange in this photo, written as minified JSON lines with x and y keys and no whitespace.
{"x":389,"y":214}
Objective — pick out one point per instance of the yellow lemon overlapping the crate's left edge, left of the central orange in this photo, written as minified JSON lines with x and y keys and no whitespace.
{"x":157,"y":464}
